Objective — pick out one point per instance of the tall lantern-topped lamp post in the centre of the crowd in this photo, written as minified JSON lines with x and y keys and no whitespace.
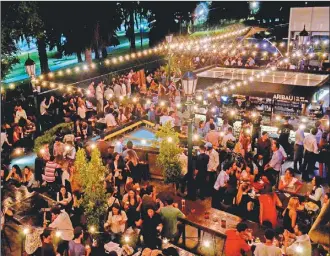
{"x":189,"y":82}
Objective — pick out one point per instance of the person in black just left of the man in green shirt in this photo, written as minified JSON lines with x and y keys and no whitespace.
{"x":152,"y":225}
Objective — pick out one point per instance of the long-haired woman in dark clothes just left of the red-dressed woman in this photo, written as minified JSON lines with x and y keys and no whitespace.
{"x":244,"y":202}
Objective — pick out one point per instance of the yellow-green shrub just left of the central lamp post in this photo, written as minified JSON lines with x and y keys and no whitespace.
{"x":168,"y":158}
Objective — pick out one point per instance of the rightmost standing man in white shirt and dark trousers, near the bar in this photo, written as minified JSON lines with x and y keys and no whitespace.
{"x":311,"y":153}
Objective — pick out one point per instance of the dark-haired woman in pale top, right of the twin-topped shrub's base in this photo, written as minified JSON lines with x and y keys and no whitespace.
{"x":116,"y":222}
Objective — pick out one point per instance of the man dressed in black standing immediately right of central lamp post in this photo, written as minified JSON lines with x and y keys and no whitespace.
{"x":201,"y":167}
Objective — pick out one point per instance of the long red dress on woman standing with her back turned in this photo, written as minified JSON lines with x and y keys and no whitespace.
{"x":269,"y":208}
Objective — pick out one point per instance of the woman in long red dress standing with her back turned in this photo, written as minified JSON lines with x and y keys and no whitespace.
{"x":268,"y":201}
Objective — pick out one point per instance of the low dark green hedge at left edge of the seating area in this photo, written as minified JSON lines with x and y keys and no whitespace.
{"x":49,"y":136}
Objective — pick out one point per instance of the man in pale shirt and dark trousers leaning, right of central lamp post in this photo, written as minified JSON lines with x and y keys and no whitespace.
{"x":220,"y":185}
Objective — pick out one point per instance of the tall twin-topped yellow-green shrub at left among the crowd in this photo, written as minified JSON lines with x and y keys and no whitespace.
{"x":90,"y":175}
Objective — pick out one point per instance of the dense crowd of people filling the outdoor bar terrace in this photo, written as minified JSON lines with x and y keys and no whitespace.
{"x":229,"y":168}
